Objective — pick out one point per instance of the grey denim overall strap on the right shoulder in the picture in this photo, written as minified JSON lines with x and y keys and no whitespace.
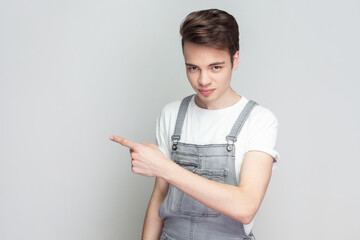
{"x":239,"y":123}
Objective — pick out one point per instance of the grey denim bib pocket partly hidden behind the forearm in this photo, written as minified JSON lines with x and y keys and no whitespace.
{"x":183,"y":204}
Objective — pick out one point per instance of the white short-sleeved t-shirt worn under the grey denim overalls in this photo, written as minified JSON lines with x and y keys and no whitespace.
{"x":204,"y":126}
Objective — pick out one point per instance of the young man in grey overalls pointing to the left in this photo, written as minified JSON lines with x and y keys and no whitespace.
{"x":205,"y":189}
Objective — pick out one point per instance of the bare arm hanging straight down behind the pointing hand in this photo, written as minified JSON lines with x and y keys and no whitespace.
{"x":153,"y":223}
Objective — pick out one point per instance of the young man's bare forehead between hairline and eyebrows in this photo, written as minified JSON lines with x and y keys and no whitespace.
{"x":202,"y":55}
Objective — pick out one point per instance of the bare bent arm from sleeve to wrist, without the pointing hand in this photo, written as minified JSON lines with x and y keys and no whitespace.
{"x":238,"y":202}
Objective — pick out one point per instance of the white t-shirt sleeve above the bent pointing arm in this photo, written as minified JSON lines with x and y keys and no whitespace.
{"x":262,"y":134}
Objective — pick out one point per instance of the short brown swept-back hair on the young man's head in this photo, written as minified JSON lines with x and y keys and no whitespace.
{"x":212,"y":27}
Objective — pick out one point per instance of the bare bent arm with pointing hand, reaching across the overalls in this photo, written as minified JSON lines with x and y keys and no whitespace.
{"x":238,"y":202}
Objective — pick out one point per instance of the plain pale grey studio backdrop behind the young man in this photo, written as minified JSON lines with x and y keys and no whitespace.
{"x":73,"y":73}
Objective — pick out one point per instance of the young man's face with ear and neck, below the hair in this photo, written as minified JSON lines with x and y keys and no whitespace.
{"x":209,"y":72}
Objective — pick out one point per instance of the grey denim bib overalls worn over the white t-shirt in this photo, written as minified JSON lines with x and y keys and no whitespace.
{"x":185,"y":218}
